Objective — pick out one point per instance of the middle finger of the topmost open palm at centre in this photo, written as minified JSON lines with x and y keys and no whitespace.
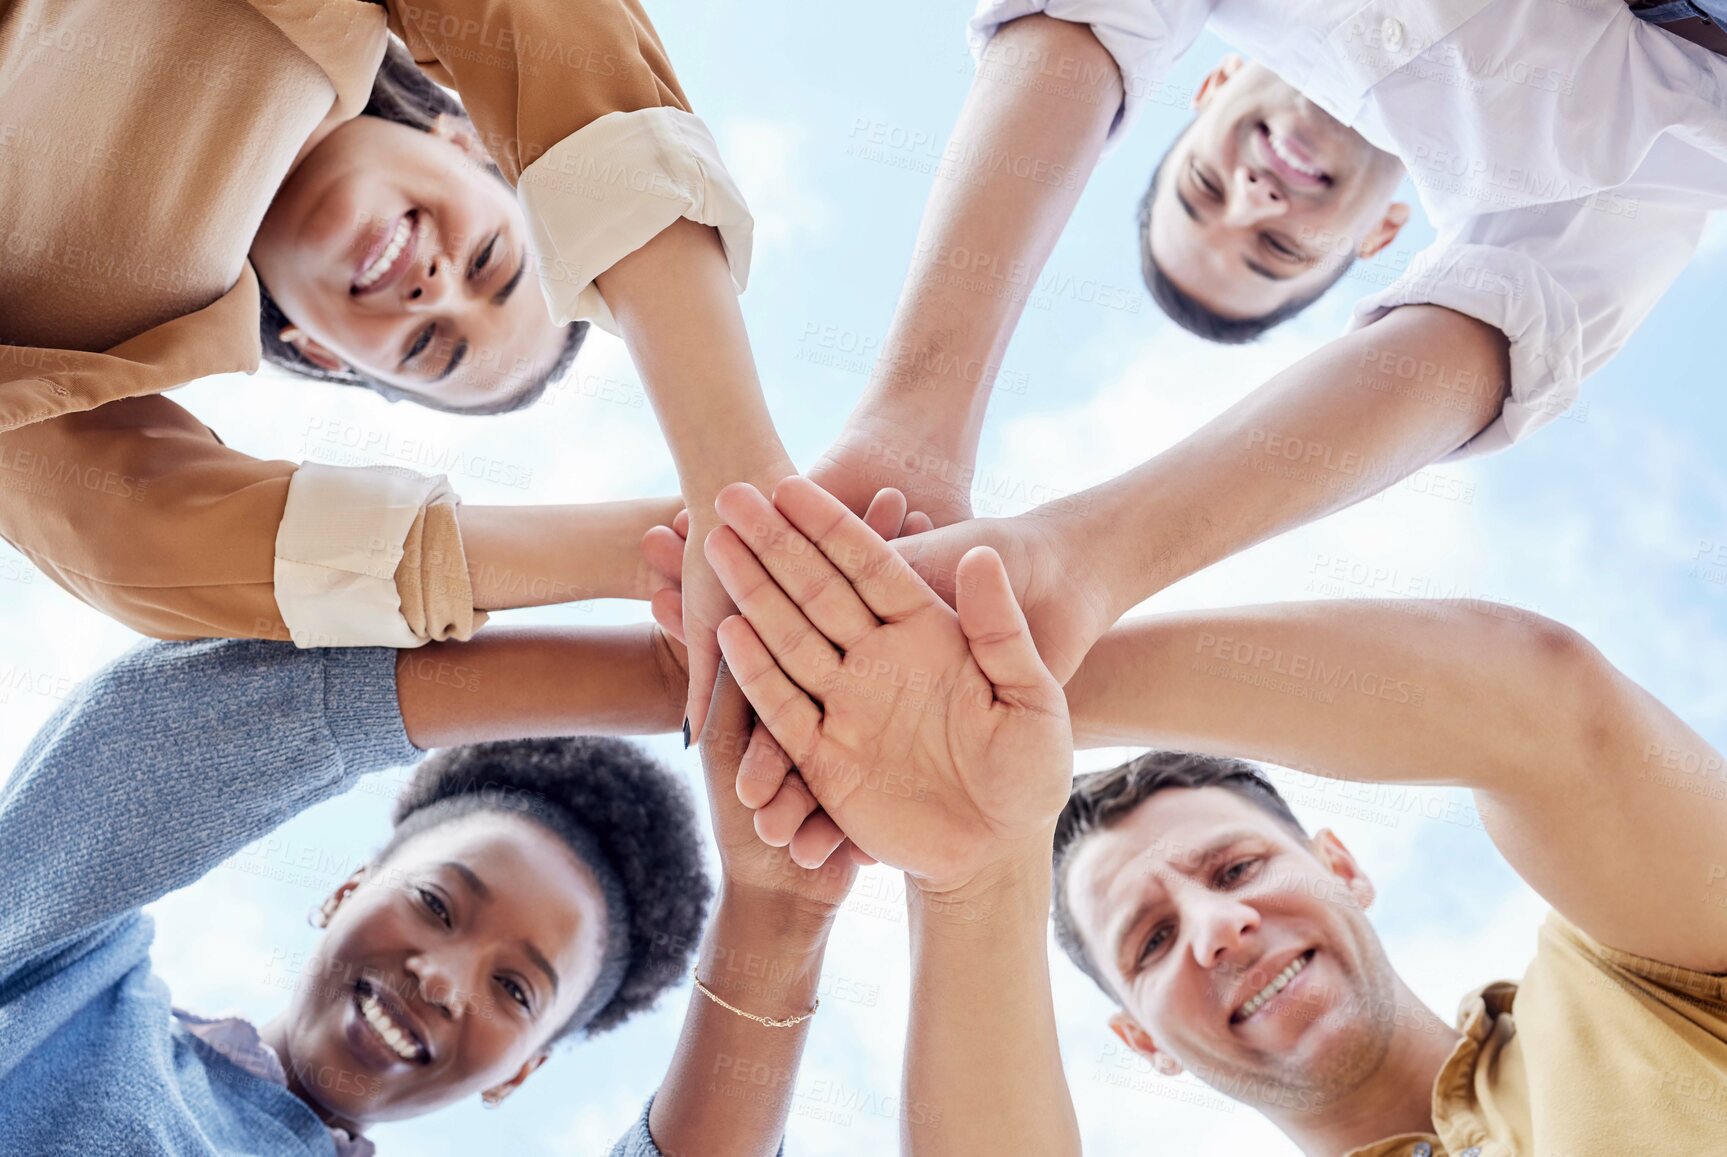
{"x":797,"y":567}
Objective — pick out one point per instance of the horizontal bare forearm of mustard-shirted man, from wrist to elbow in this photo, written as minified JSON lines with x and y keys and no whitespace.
{"x":1393,"y":692}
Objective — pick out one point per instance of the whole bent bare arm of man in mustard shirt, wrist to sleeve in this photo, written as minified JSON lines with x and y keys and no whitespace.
{"x":1600,"y":797}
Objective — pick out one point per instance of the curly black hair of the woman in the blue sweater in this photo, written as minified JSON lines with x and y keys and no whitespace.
{"x":609,"y":792}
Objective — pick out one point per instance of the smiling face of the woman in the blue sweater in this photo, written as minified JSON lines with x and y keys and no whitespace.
{"x":445,"y":971}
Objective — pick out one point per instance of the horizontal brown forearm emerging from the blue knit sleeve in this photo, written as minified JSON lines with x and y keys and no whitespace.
{"x":519,"y":683}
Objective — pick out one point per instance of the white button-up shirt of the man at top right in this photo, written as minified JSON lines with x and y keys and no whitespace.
{"x":1566,"y":151}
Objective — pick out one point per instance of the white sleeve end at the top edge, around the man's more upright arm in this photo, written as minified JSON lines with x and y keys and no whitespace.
{"x":1144,"y":37}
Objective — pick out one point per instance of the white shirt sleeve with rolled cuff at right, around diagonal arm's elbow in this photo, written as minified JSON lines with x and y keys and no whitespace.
{"x":1567,"y":284}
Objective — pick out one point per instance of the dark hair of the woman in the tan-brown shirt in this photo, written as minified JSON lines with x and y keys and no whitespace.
{"x":407,"y":96}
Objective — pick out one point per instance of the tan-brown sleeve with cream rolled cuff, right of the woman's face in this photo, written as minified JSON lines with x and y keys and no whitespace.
{"x":579,"y":106}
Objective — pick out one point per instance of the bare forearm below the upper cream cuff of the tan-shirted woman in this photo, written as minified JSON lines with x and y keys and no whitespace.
{"x":678,"y":310}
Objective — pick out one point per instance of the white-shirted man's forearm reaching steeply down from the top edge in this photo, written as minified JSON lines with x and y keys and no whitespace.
{"x":1013,"y":172}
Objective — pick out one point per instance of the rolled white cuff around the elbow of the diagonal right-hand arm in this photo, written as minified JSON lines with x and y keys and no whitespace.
{"x":1517,"y":296}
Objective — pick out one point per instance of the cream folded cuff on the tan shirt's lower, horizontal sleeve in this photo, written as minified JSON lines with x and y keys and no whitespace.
{"x":338,"y":552}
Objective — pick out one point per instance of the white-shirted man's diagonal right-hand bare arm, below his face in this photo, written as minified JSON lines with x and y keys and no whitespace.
{"x":1338,"y":427}
